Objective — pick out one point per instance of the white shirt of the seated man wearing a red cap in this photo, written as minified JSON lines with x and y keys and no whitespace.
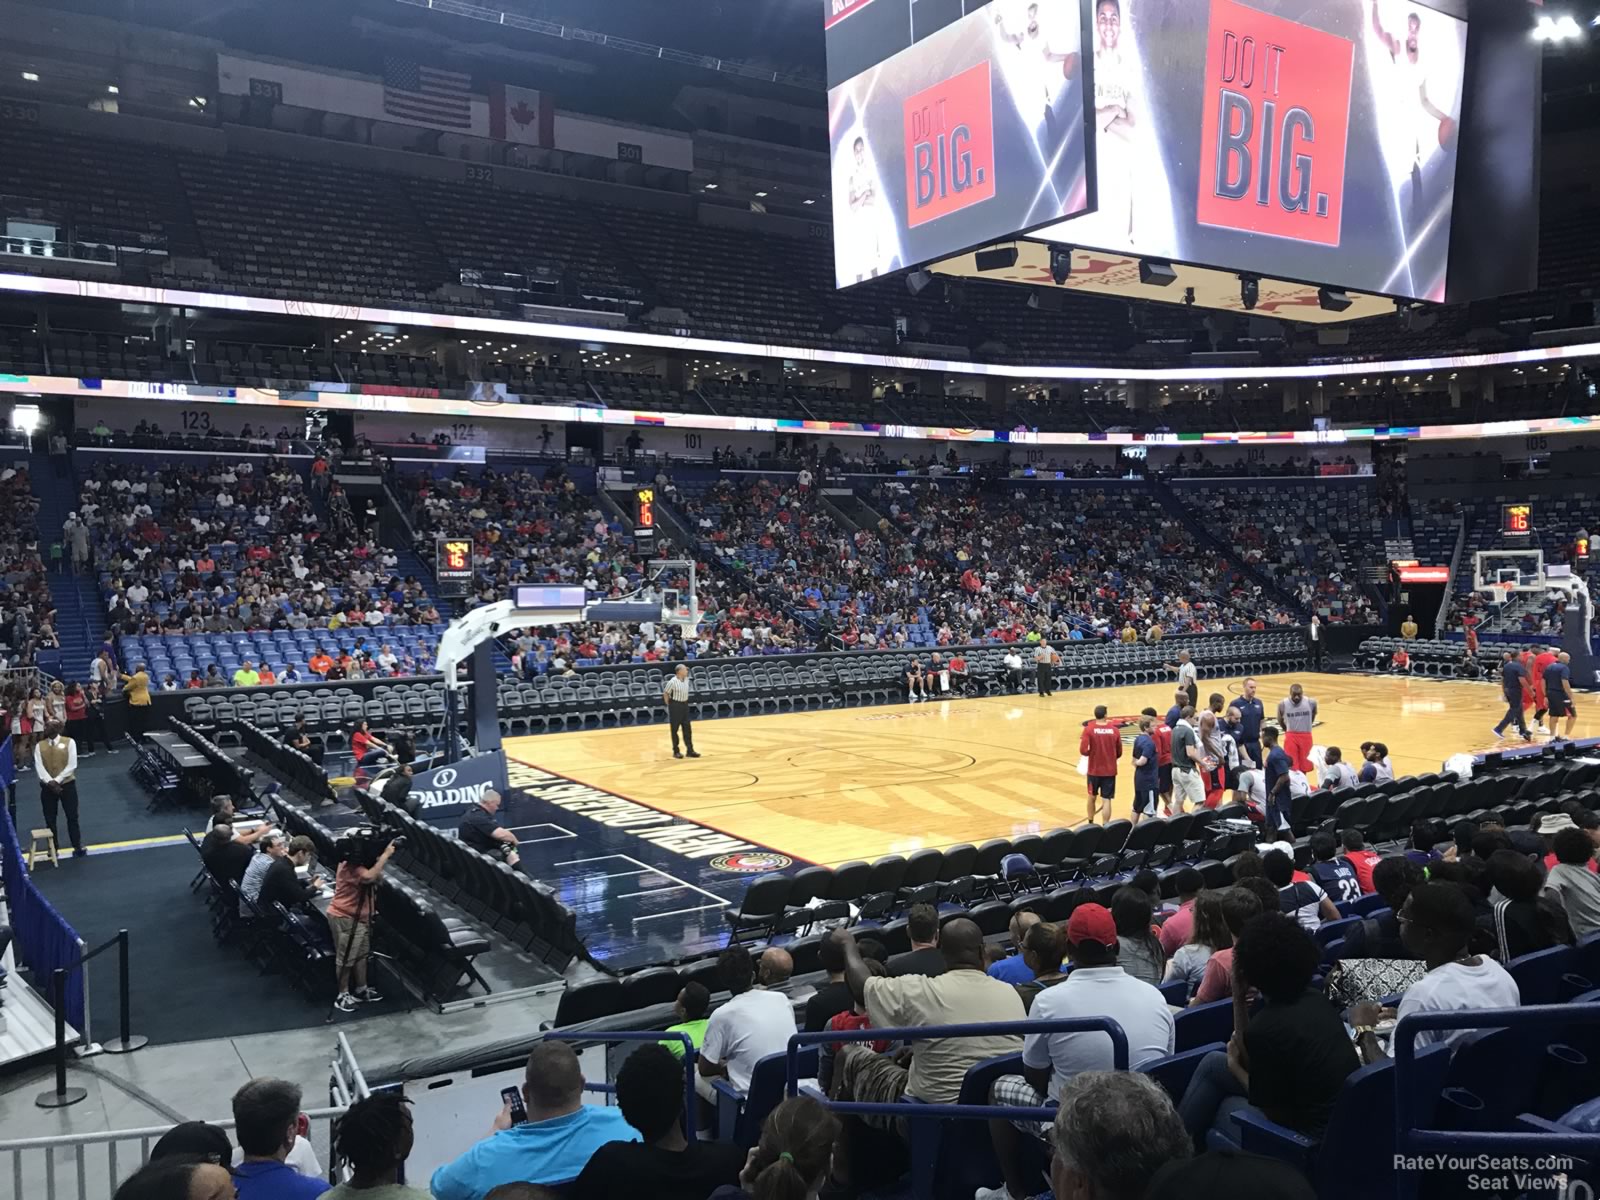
{"x":1098,"y":991}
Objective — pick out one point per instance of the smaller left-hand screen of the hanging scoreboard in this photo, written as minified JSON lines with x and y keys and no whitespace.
{"x":970,"y":134}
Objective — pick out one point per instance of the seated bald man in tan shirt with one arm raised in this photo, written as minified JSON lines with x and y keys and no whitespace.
{"x":962,"y":994}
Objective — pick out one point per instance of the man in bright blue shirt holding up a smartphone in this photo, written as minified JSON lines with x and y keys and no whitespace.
{"x":551,"y":1146}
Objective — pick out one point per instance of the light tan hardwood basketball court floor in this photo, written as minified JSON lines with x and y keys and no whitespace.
{"x":858,"y":783}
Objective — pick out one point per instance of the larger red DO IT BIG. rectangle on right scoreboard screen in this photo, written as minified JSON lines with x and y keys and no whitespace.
{"x":1276,"y":122}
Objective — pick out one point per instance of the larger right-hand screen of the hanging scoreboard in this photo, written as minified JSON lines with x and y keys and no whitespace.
{"x":1311,"y":140}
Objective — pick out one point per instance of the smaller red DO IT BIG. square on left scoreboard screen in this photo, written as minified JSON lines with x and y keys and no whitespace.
{"x":950,"y":146}
